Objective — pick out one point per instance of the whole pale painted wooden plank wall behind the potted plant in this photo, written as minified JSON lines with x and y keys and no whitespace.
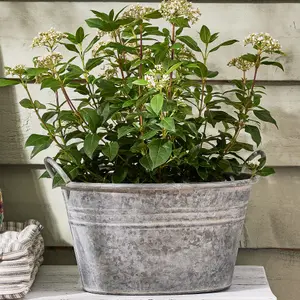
{"x":273,"y":218}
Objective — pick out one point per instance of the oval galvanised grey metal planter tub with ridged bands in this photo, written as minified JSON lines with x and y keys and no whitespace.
{"x":155,"y":238}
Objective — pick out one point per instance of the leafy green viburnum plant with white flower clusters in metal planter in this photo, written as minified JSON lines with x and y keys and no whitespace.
{"x":134,"y":104}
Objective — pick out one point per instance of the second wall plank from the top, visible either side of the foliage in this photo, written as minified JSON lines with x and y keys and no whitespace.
{"x":282,"y":146}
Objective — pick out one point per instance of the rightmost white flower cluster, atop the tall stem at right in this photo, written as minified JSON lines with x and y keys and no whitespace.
{"x":263,"y":42}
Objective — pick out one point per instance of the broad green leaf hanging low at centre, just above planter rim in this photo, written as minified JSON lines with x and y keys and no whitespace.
{"x":159,"y":152}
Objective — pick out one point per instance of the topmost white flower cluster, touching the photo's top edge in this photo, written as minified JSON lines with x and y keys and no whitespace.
{"x":171,"y":9}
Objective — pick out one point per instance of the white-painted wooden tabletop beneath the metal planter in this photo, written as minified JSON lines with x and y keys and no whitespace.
{"x":62,"y":283}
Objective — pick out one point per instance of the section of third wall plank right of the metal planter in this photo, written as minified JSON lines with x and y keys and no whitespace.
{"x":273,"y":215}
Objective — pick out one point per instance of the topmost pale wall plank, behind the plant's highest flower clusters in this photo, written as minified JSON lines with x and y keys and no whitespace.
{"x":20,"y":21}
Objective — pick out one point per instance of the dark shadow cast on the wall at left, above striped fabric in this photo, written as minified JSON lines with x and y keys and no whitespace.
{"x":24,"y":195}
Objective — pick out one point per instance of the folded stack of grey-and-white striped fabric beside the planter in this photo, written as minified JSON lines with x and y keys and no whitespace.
{"x":21,"y":254}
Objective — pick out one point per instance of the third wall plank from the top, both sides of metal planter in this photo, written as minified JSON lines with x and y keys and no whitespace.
{"x":273,"y":216}
